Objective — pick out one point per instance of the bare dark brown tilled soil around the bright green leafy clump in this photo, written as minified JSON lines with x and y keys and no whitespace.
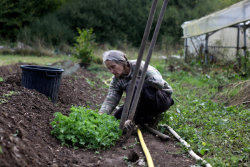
{"x":25,"y":138}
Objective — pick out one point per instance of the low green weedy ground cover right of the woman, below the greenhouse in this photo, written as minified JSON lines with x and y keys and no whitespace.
{"x":218,"y":133}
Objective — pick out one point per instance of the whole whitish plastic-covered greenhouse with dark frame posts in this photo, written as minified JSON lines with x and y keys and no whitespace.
{"x":221,"y":35}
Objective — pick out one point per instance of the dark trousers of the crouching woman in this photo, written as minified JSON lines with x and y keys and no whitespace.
{"x":151,"y":104}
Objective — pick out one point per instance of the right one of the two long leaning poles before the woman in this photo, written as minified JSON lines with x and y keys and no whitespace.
{"x":151,"y":48}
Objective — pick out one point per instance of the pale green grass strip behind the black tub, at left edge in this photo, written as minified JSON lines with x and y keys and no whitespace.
{"x":43,"y":60}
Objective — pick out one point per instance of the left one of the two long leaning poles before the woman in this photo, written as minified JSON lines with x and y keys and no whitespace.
{"x":138,"y":64}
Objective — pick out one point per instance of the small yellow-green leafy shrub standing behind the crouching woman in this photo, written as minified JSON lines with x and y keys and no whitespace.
{"x":84,"y":46}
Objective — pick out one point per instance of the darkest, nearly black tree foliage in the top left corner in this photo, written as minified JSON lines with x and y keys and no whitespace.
{"x":14,"y":15}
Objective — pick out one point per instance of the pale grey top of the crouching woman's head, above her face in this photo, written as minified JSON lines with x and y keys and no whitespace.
{"x":114,"y":55}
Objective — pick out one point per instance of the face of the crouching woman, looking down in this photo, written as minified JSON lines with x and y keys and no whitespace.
{"x":115,"y":68}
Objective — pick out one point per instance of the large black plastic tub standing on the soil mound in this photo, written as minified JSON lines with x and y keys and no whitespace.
{"x":43,"y":79}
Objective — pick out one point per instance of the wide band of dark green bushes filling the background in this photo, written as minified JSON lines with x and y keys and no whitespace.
{"x":114,"y":22}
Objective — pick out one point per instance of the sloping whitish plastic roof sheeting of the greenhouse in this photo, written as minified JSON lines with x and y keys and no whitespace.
{"x":237,"y":13}
